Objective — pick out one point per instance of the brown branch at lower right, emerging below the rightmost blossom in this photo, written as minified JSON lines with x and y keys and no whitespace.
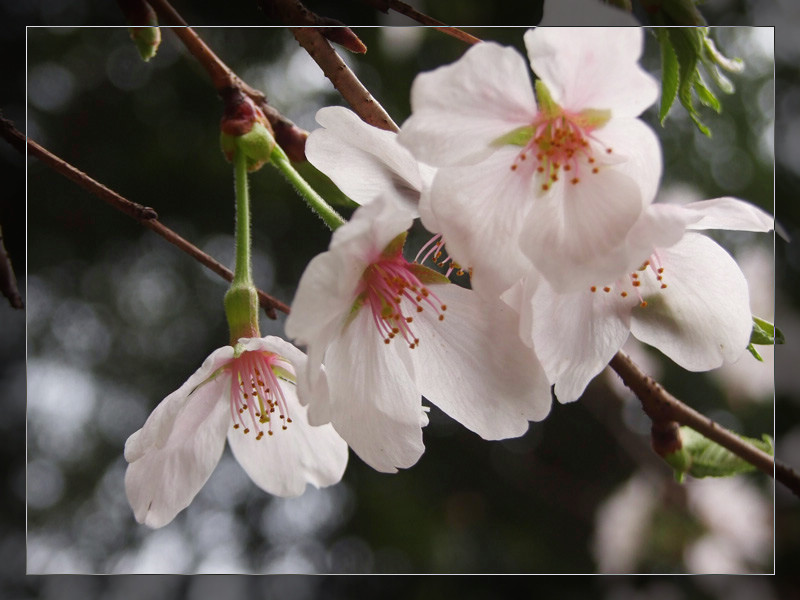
{"x":663,"y":409}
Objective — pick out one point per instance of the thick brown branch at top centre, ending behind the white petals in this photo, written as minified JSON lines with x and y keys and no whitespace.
{"x":343,"y":79}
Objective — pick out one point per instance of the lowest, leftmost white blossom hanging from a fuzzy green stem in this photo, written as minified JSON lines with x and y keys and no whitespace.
{"x":246,"y":394}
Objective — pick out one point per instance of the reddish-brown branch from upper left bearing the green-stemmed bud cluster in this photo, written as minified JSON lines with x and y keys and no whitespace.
{"x":288,"y":135}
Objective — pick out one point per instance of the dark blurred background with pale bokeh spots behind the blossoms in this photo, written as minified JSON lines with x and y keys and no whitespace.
{"x":117,"y":319}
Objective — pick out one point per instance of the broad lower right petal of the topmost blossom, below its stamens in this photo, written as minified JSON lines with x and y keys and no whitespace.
{"x":574,"y":233}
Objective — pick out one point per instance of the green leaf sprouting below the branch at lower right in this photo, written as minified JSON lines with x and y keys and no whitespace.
{"x":700,"y":457}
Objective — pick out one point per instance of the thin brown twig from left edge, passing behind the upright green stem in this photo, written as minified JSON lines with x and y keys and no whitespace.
{"x":145,"y":215}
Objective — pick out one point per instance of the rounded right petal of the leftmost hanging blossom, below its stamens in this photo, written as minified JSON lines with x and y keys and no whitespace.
{"x":284,"y":462}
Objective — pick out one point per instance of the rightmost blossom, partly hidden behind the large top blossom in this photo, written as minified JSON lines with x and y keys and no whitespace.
{"x":681,"y":293}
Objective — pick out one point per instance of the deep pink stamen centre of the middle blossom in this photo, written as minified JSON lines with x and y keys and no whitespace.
{"x":393,"y":292}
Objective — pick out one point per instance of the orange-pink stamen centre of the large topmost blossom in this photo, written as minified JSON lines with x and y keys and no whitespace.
{"x":562,"y":145}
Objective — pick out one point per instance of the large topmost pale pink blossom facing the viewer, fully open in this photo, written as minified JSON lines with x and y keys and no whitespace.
{"x":566,"y":176}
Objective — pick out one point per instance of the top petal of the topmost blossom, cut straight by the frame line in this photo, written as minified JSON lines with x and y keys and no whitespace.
{"x":593,"y":67}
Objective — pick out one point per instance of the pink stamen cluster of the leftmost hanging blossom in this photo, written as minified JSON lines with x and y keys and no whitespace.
{"x":256,"y":392}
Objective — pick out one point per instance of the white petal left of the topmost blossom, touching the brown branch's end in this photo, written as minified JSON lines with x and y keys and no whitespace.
{"x":362,"y":160}
